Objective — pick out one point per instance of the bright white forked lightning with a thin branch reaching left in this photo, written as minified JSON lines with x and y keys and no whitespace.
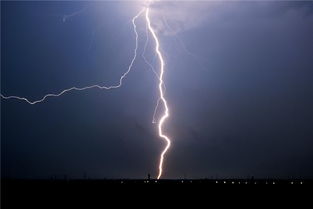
{"x":161,"y":86}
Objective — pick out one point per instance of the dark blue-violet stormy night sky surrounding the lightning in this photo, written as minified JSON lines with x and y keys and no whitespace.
{"x":241,"y":104}
